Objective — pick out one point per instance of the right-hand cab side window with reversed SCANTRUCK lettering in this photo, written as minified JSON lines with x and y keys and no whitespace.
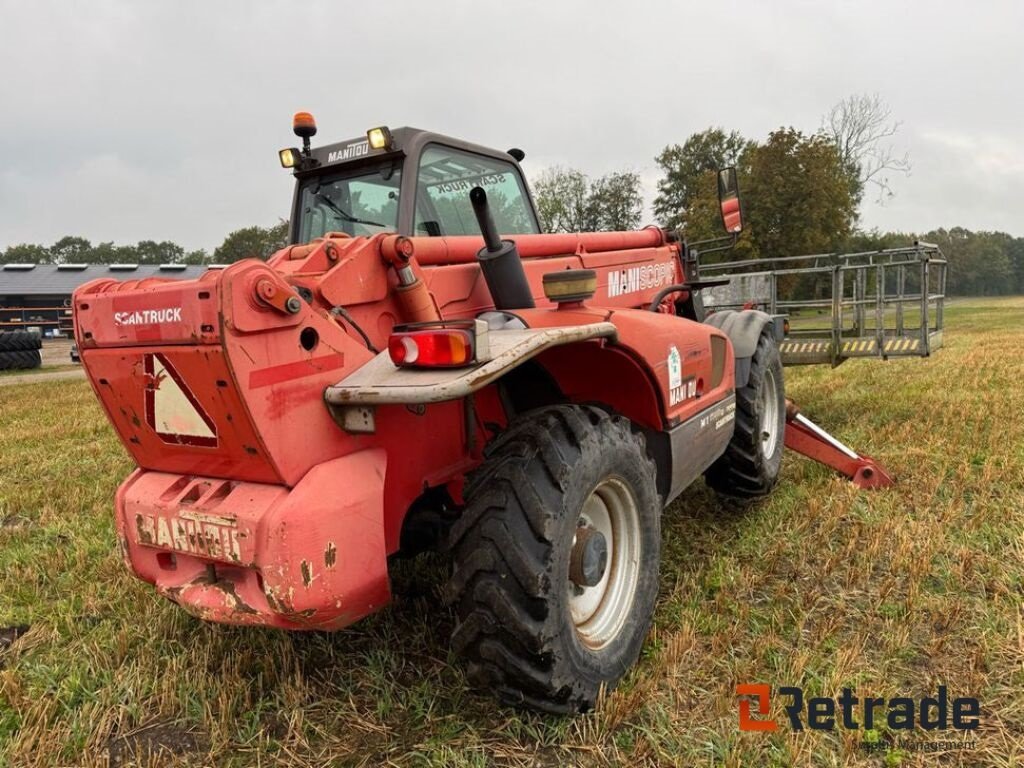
{"x":445,"y":180}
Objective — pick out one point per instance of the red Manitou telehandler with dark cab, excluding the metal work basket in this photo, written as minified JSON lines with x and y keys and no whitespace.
{"x":395,"y":381}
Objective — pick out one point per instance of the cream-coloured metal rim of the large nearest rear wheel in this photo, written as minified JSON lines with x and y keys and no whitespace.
{"x":600,"y":613}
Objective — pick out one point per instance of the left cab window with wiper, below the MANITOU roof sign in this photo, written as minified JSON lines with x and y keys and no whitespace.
{"x":361,"y":202}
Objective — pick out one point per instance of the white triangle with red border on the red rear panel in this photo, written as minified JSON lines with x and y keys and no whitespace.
{"x":172,"y":409}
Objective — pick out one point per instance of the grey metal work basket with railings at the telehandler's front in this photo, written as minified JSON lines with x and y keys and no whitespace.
{"x":871,"y":305}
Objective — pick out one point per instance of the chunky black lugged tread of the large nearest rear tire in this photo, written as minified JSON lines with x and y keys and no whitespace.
{"x":503,"y":547}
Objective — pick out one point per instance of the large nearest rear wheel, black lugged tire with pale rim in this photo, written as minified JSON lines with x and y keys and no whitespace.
{"x":542,"y":620}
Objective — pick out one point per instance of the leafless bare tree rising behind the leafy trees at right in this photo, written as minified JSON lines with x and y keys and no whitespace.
{"x":861,"y":126}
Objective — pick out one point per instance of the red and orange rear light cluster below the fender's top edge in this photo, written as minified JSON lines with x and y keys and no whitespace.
{"x":446,"y":345}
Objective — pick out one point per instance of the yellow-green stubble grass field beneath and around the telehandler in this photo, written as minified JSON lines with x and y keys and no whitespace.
{"x":823,"y":586}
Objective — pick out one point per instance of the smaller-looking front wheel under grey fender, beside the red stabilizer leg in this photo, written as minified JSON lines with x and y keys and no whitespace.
{"x":751,"y":464}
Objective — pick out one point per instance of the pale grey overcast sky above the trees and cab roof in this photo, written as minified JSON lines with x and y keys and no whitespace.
{"x":121,"y":121}
